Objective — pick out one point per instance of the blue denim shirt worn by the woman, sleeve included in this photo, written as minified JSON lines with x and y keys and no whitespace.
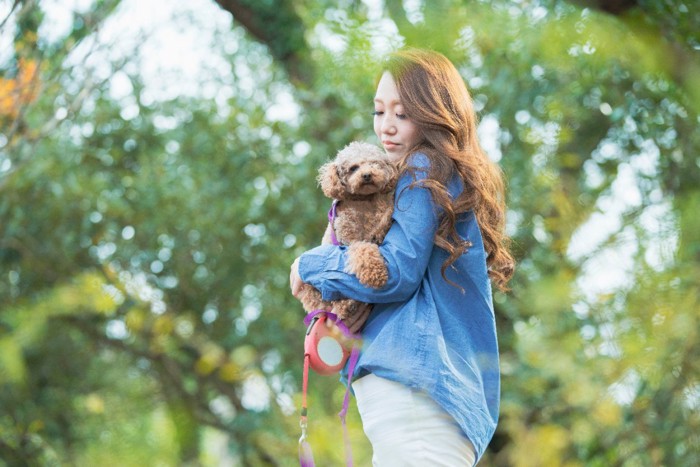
{"x":424,"y":332}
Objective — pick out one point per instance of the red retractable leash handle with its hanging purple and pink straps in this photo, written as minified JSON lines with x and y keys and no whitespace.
{"x":326,"y":350}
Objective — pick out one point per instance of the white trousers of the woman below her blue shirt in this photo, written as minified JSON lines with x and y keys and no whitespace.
{"x":407,"y":427}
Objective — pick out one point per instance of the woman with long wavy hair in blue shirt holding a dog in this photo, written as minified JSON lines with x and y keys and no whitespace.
{"x":428,"y":380}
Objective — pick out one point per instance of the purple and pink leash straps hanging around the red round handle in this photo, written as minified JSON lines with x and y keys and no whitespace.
{"x":306,"y":458}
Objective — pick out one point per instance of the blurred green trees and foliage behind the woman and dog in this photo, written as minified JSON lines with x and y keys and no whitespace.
{"x":157,"y":178}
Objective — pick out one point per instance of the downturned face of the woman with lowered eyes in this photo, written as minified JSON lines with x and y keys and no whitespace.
{"x":394,"y":129}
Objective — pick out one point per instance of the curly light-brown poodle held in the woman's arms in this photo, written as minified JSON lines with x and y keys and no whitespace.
{"x":362,"y":179}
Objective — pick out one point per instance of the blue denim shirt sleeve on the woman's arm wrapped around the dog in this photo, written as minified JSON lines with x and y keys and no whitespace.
{"x":406,"y":249}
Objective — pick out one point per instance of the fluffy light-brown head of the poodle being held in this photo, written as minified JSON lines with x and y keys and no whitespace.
{"x":359,"y":169}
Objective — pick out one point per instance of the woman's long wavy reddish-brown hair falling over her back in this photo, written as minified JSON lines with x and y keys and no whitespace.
{"x":435,"y":97}
